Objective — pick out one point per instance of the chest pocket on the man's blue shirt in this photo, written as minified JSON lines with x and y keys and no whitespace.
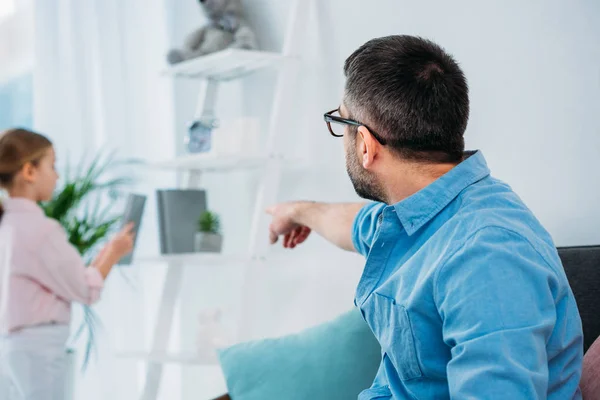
{"x":396,"y":337}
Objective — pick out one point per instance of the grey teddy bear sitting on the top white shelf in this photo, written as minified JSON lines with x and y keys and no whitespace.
{"x":226,"y":28}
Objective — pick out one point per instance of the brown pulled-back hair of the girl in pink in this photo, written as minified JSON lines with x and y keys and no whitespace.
{"x":17,"y":148}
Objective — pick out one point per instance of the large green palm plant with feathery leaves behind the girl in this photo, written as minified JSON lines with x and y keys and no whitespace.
{"x":82,"y":205}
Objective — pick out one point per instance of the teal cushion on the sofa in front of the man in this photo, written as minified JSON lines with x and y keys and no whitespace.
{"x":335,"y":360}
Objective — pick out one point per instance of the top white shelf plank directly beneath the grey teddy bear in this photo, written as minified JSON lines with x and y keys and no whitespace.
{"x":224,"y":65}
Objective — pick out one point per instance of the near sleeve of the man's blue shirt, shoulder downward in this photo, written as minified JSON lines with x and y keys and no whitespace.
{"x":495,"y":297}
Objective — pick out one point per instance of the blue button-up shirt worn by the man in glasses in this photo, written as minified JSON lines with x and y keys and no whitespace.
{"x":466,"y":294}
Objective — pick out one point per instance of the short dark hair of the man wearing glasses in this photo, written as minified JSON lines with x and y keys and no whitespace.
{"x":412,"y":93}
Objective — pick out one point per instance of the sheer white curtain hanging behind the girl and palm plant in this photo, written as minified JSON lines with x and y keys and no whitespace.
{"x":97,"y":85}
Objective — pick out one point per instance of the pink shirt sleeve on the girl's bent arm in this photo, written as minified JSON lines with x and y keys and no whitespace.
{"x":62,"y":270}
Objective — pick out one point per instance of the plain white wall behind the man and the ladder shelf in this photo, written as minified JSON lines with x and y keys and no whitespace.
{"x":535,"y":91}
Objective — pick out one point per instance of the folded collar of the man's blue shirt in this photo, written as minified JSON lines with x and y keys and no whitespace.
{"x":420,"y":208}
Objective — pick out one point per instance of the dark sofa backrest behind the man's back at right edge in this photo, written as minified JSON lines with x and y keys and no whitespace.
{"x":582,"y":266}
